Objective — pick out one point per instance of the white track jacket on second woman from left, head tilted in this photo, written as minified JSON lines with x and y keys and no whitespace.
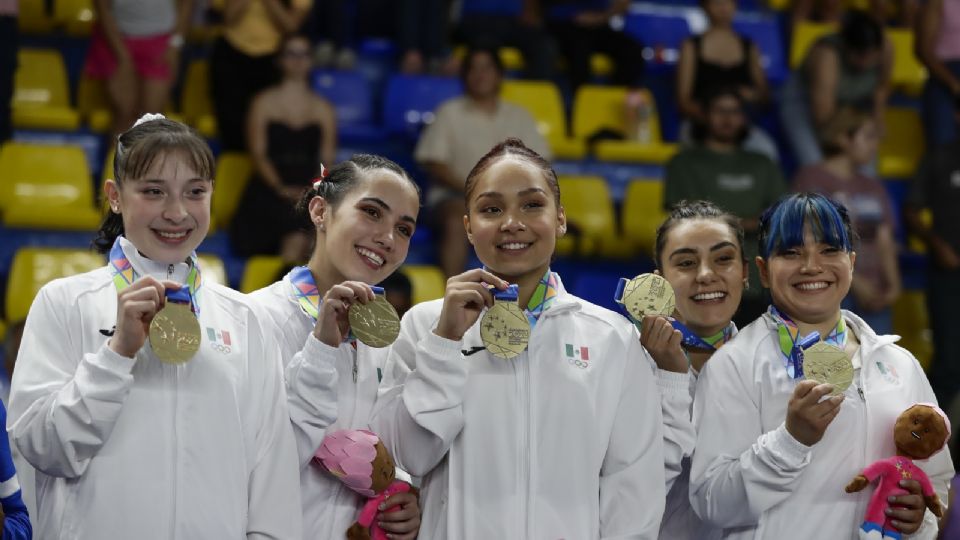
{"x":322,"y":395}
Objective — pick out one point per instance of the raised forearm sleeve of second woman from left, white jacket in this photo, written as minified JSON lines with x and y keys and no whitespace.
{"x":311,"y":382}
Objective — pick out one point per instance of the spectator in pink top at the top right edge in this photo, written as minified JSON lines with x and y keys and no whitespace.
{"x":938,"y":48}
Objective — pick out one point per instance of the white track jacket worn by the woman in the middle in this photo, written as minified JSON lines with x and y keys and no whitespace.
{"x":563,"y":441}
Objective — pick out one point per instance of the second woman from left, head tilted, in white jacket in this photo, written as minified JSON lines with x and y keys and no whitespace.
{"x":365,"y":212}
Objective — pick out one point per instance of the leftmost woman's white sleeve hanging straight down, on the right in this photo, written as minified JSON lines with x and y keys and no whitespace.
{"x":273,"y":510}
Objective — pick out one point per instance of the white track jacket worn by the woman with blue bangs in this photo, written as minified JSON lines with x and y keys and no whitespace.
{"x":751,"y":478}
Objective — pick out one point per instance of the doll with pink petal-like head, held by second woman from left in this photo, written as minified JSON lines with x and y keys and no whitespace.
{"x":362,"y":463}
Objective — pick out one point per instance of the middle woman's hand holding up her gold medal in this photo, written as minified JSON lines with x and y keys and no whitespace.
{"x":464,"y":300}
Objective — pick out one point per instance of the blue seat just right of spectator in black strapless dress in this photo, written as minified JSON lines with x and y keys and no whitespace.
{"x":350,"y":94}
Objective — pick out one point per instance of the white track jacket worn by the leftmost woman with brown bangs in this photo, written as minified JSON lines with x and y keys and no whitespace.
{"x":135,"y":448}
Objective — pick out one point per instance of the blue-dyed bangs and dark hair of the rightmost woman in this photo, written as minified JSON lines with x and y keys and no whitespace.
{"x":781,"y":225}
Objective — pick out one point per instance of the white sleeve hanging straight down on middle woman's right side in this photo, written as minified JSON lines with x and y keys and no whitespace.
{"x":632,"y":487}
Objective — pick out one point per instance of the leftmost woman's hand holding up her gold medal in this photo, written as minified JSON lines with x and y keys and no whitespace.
{"x":136,"y":307}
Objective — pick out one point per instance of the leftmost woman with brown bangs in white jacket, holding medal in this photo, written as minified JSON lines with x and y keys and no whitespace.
{"x":124,"y":445}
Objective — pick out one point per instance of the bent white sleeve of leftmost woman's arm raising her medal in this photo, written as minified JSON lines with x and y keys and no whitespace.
{"x":63,"y":402}
